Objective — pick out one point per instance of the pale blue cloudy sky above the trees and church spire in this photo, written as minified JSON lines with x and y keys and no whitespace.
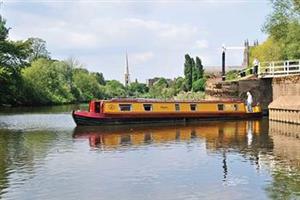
{"x":156,"y":34}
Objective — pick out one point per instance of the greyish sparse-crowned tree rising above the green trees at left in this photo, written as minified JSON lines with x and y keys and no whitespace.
{"x":38,"y":49}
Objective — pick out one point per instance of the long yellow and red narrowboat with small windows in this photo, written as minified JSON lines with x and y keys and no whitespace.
{"x":134,"y":111}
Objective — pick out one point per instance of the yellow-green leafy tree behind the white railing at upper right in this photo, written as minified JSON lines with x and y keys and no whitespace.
{"x":283,"y":28}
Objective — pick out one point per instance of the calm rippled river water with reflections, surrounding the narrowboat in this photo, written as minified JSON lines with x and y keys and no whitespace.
{"x":44,"y":156}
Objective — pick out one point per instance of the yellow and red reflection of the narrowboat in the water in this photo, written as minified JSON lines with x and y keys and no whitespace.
{"x":216,"y":134}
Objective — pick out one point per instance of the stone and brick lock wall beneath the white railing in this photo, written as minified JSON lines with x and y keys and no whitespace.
{"x":264,"y":91}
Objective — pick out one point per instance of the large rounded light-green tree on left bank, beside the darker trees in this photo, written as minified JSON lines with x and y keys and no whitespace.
{"x":46,"y":82}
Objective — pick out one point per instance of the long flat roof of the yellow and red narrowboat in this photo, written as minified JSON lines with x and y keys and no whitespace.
{"x":143,"y":100}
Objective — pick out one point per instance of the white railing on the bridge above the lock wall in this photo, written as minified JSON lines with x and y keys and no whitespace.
{"x":278,"y":68}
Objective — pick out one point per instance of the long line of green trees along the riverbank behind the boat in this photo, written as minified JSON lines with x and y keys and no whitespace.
{"x":29,"y":76}
